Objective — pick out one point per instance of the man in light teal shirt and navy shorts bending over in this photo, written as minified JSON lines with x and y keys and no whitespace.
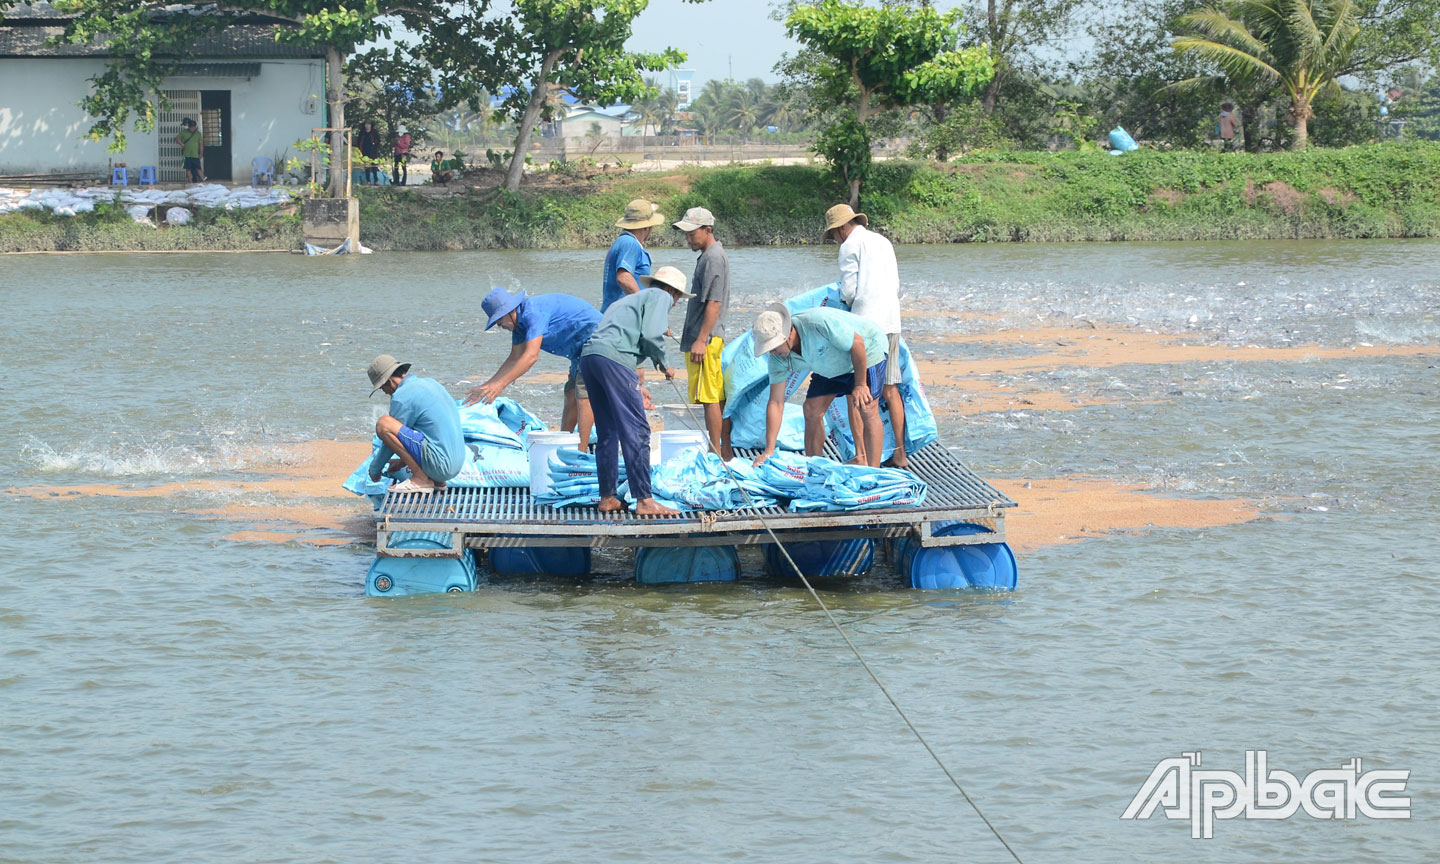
{"x":845,"y":354}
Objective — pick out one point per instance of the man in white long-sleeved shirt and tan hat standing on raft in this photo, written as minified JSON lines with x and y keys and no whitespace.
{"x":870,"y":284}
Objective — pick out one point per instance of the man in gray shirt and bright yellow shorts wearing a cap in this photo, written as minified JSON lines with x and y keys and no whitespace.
{"x":703,"y":338}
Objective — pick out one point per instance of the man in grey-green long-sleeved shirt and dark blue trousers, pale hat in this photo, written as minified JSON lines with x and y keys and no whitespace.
{"x":630,"y":332}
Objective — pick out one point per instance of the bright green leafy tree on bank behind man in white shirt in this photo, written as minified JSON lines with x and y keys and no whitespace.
{"x":865,"y":60}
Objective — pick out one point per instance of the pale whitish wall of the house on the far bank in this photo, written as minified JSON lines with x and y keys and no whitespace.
{"x":42,"y":126}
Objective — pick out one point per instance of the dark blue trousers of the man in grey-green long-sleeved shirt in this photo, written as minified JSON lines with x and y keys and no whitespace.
{"x":620,"y":426}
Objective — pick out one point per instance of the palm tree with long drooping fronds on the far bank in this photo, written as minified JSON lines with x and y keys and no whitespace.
{"x":1301,"y":47}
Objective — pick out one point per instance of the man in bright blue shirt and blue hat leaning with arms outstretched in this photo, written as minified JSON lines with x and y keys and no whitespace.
{"x":554,"y":323}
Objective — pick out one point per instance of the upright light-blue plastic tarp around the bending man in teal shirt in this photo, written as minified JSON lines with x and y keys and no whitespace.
{"x":748,"y":390}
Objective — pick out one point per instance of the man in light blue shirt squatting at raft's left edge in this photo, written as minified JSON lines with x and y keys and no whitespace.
{"x":421,"y":428}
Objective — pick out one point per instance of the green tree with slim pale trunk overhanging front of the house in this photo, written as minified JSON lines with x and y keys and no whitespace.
{"x":149,"y":40}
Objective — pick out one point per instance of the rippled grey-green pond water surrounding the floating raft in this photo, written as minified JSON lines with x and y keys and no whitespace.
{"x":172,"y":695}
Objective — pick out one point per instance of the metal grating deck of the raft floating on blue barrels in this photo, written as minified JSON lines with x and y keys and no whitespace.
{"x":510,"y":516}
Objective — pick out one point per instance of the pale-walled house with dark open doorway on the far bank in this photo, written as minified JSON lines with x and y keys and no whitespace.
{"x":251,"y":96}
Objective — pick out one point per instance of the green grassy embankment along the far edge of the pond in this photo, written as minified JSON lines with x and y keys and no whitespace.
{"x":1382,"y":191}
